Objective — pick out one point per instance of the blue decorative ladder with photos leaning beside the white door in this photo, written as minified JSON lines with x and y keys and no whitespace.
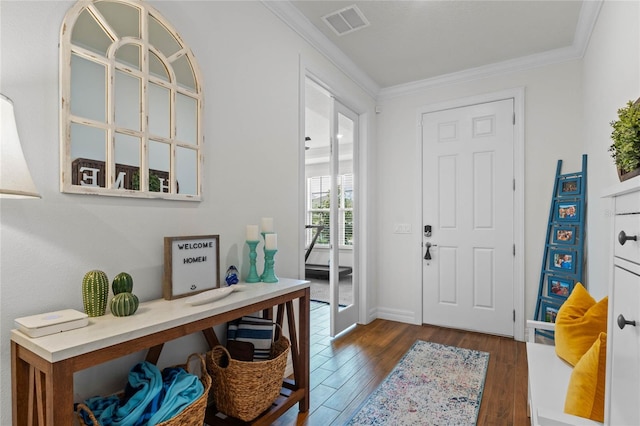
{"x":563,"y":258}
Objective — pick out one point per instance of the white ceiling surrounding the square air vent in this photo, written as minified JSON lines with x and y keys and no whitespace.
{"x":413,"y":43}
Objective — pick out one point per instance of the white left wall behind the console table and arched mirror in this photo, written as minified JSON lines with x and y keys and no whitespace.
{"x":251,"y":65}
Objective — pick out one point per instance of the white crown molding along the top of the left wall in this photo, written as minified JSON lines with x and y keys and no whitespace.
{"x":291,"y":16}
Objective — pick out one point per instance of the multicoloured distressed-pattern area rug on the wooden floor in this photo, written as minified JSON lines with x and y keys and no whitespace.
{"x":432,"y":384}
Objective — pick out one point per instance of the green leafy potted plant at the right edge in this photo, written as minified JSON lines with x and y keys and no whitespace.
{"x":625,"y":149}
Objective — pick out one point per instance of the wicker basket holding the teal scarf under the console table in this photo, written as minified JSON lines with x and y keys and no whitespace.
{"x":193,"y":415}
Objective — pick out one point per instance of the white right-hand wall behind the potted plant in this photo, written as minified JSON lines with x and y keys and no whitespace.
{"x":611,"y":77}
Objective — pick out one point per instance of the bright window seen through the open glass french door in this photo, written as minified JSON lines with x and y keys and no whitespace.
{"x":319,"y":202}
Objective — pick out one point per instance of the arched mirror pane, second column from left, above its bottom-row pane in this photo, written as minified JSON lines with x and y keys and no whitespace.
{"x":127,"y":101}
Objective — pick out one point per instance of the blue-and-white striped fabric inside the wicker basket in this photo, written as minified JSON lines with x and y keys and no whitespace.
{"x":255,"y":330}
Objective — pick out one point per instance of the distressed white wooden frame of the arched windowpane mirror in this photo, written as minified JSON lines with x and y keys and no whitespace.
{"x":68,"y":49}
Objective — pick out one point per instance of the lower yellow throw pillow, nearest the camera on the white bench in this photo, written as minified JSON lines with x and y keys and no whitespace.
{"x":585,"y":394}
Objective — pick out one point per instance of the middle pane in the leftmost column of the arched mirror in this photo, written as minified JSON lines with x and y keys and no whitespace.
{"x":88,"y":89}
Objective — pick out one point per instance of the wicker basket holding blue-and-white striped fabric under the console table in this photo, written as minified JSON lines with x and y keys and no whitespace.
{"x":244,"y":389}
